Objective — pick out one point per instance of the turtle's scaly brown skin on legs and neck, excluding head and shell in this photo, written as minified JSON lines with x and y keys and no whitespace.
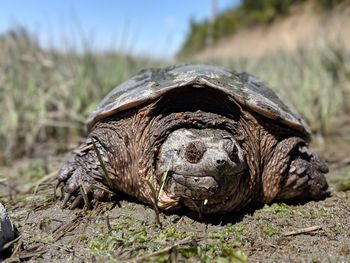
{"x":279,"y":166}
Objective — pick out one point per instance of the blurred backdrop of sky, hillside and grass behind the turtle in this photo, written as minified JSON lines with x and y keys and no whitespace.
{"x":59,"y":58}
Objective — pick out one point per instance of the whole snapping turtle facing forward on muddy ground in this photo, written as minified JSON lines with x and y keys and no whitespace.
{"x":206,"y":138}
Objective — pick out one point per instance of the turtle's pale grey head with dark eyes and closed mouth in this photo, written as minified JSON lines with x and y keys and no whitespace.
{"x":202,"y":166}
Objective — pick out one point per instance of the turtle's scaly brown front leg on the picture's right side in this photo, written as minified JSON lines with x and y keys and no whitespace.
{"x":294,"y":173}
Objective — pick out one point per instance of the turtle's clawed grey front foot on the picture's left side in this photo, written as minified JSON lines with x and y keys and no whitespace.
{"x":84,"y":172}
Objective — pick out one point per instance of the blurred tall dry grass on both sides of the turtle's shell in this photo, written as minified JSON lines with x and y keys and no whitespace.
{"x":45,"y":94}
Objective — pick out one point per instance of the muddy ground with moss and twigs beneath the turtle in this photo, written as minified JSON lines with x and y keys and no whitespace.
{"x":125,"y":231}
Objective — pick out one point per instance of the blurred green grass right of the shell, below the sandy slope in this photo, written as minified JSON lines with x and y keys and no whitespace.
{"x":314,"y":80}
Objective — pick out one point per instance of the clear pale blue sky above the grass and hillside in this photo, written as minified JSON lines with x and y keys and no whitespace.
{"x":143,"y":27}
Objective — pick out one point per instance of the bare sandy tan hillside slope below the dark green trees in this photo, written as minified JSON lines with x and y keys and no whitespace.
{"x":303,"y":28}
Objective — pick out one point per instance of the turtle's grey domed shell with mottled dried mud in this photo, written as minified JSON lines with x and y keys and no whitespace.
{"x":244,"y":88}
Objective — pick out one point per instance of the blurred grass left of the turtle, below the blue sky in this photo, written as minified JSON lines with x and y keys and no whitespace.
{"x":45,"y":94}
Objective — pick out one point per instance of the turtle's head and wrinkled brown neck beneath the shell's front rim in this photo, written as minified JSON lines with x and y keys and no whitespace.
{"x":198,"y":143}
